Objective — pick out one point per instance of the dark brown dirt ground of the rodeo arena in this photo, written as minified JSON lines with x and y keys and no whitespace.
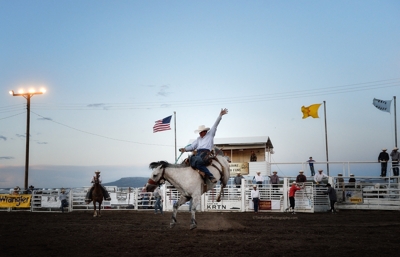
{"x":133,"y":233}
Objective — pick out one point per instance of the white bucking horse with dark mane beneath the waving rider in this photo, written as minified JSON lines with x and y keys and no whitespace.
{"x":188,"y":182}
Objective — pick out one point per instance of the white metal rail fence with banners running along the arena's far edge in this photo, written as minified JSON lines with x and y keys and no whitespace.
{"x":368,"y":193}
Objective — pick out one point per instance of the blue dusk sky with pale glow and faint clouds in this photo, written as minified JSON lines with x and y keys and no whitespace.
{"x":112,"y":68}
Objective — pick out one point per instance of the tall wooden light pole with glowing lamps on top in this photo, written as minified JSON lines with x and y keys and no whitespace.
{"x":27,"y":96}
